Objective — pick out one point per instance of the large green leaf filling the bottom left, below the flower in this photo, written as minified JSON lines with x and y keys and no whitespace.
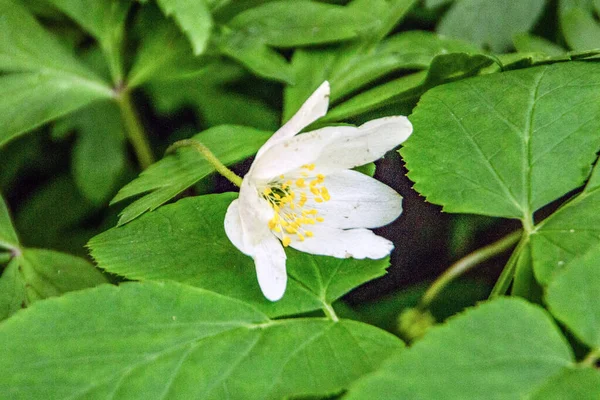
{"x":166,"y":340}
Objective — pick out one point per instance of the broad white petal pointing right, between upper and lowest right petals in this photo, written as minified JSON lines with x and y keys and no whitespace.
{"x":358,"y":201}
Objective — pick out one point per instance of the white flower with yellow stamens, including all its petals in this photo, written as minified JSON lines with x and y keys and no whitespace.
{"x":300,"y":192}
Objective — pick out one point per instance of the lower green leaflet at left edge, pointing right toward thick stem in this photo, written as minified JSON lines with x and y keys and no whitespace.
{"x":30,"y":99}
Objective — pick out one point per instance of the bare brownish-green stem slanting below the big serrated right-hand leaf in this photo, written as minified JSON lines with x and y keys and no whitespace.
{"x":466,"y":263}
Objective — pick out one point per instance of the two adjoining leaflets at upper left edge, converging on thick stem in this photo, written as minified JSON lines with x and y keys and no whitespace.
{"x":47,"y":81}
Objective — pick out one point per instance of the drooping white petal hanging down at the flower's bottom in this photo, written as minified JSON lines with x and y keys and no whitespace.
{"x":269,"y":259}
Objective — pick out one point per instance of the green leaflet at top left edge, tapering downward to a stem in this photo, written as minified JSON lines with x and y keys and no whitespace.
{"x":105,"y":20}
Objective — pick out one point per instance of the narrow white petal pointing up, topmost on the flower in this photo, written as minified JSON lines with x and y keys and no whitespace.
{"x":313,"y":108}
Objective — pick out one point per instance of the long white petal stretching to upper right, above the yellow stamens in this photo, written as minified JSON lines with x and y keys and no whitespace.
{"x":334,"y":148}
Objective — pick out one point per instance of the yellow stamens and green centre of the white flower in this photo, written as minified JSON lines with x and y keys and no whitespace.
{"x":290,"y":200}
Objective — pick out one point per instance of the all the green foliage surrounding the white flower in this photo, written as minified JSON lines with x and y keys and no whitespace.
{"x":118,"y":281}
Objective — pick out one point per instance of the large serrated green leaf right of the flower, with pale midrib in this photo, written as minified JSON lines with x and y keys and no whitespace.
{"x":546,"y":120}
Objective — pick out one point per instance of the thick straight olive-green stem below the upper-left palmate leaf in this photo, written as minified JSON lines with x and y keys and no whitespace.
{"x":135,"y":130}
